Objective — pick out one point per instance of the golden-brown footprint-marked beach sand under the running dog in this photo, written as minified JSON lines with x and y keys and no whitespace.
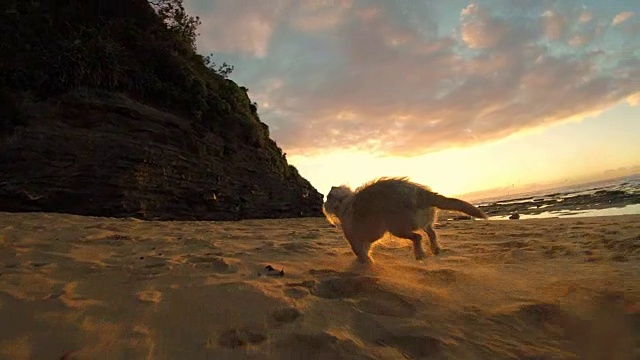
{"x":75,"y":287}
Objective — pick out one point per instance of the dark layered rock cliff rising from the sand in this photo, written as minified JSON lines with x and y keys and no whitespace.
{"x":132,"y":134}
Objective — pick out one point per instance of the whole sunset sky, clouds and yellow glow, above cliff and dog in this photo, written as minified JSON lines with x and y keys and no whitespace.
{"x":462,"y":96}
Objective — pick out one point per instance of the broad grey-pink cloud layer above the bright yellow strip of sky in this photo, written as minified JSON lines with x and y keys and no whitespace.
{"x":396,"y":78}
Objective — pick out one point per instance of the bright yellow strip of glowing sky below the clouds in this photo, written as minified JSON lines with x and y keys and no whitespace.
{"x":564,"y":152}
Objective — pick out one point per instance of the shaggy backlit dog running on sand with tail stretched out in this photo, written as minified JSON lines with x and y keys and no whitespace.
{"x":394,"y":205}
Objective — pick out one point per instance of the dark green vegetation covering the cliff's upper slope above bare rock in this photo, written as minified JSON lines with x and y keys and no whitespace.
{"x":47,"y":51}
